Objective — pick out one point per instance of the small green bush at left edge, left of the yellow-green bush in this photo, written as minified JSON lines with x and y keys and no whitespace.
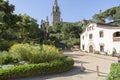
{"x":6,"y":57}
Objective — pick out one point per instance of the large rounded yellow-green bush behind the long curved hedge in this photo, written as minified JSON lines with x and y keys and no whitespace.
{"x":35,"y":53}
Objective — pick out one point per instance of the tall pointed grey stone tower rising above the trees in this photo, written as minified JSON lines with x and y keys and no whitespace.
{"x":55,"y":15}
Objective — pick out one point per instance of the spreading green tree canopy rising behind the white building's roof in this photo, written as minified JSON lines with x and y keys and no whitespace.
{"x":111,"y":14}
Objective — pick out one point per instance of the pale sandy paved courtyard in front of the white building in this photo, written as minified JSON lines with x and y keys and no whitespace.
{"x":90,"y":61}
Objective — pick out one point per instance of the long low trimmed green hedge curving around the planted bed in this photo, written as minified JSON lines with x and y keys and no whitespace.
{"x":61,"y":65}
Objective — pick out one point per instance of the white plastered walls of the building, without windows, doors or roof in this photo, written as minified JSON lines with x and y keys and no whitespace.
{"x":107,"y":39}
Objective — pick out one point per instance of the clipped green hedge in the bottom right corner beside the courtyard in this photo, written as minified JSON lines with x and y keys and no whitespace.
{"x":114,"y":72}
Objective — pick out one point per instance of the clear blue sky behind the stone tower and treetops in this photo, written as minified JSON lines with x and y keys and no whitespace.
{"x":71,"y":10}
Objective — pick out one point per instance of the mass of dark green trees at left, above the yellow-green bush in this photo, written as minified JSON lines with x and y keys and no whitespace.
{"x":18,"y":28}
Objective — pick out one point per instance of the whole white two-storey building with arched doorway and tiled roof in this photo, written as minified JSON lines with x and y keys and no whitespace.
{"x":100,"y":37}
